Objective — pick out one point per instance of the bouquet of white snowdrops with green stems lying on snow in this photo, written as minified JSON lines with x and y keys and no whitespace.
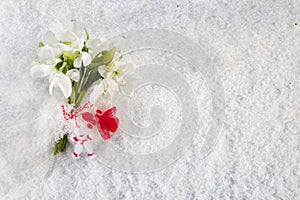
{"x":79,"y":66}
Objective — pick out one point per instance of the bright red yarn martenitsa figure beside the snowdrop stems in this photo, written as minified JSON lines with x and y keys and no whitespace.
{"x":106,"y":122}
